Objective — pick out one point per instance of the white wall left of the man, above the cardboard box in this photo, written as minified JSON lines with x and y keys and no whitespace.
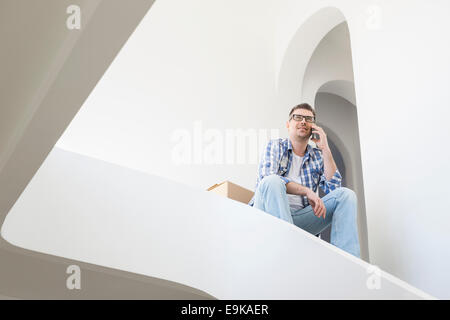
{"x":188,"y":61}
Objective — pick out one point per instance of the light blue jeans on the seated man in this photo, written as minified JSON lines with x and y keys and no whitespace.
{"x":270,"y":196}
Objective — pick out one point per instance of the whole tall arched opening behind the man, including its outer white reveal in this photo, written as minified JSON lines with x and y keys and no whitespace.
{"x":317,"y":68}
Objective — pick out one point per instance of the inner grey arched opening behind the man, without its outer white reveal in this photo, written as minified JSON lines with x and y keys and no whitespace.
{"x":328,"y":84}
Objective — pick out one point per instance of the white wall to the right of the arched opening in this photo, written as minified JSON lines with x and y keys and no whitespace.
{"x":401,"y":69}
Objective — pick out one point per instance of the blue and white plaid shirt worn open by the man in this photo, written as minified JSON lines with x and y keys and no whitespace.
{"x":277,"y":159}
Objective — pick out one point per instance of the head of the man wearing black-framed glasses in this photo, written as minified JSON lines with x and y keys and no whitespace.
{"x":301,"y":118}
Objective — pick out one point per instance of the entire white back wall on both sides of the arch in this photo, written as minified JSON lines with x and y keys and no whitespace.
{"x":223,"y":62}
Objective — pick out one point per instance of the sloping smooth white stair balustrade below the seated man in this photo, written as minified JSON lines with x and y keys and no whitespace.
{"x":92,"y":211}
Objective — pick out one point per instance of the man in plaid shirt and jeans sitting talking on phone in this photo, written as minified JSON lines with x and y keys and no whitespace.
{"x":288,"y":176}
